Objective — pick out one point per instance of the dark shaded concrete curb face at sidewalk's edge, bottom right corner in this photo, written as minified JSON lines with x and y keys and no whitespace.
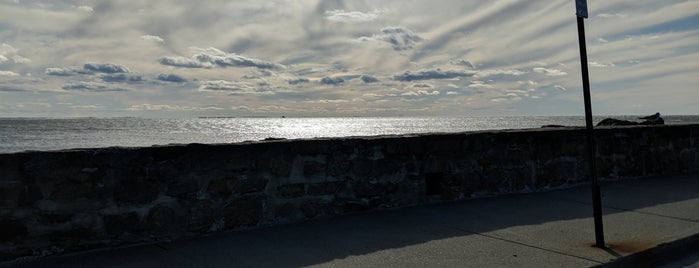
{"x":658,"y":255}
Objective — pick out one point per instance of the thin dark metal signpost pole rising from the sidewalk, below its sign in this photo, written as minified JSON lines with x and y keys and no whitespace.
{"x":596,"y":196}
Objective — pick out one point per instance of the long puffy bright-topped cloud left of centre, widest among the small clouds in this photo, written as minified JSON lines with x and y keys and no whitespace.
{"x":213,"y":57}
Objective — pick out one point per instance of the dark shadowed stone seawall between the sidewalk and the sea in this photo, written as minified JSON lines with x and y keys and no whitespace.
{"x":65,"y":201}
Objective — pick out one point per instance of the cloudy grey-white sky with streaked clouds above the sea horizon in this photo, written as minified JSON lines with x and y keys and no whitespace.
{"x":177,"y":58}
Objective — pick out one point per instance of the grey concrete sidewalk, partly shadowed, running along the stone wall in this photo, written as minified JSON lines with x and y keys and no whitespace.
{"x":552,"y":229}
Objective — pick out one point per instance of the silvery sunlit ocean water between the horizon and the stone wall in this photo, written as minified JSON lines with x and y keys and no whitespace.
{"x":21,"y":134}
